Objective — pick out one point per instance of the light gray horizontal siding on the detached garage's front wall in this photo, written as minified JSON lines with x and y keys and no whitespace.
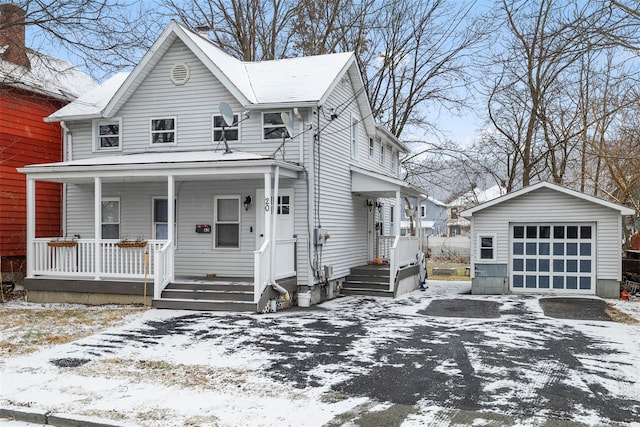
{"x":547,"y":206}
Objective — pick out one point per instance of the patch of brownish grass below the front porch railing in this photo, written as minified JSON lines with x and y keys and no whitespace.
{"x":25,"y":330}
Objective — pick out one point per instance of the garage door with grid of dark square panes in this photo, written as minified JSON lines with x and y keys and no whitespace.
{"x":553,"y":258}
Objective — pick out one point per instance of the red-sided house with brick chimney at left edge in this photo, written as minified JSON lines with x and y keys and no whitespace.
{"x":32,"y":86}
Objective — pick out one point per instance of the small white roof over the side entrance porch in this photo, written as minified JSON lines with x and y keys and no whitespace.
{"x":379,"y":185}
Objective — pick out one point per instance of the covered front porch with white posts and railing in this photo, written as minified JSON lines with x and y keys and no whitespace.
{"x":218,"y":221}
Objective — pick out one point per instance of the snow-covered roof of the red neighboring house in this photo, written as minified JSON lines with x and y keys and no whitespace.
{"x":47,"y":76}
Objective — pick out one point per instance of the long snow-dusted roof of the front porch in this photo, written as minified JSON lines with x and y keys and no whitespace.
{"x":146,"y":167}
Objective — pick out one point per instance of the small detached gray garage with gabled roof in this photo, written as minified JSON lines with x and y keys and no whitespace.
{"x":546,"y":238}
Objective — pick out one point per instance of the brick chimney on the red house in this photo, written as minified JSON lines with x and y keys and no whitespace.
{"x":12,"y":35}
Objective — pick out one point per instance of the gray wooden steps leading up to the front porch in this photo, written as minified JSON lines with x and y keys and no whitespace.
{"x":207,"y":296}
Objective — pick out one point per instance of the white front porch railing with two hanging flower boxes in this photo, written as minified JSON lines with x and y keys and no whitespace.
{"x":78,"y":258}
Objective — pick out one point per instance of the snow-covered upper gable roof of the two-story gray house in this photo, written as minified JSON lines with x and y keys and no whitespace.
{"x":256,"y":85}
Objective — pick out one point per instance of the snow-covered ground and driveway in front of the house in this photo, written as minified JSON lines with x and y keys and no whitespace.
{"x":350,"y":361}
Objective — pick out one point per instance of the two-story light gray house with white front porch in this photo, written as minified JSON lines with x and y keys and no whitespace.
{"x":224,"y":229}
